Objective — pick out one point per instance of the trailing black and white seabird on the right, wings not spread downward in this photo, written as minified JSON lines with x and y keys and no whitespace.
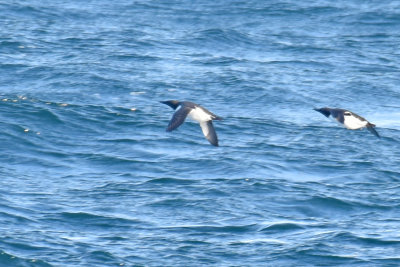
{"x":349,"y":119}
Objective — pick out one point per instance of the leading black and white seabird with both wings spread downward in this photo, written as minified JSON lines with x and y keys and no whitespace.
{"x":195,"y":112}
